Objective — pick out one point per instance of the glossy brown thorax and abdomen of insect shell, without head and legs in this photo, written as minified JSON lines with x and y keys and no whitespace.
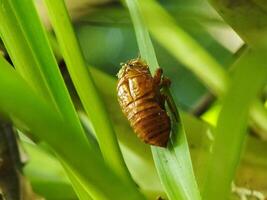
{"x":139,"y":101}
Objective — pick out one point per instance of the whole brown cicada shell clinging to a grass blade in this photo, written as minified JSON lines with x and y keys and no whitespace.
{"x":143,"y":103}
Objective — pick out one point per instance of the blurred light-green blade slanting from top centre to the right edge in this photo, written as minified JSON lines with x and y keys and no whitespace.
{"x":187,"y":51}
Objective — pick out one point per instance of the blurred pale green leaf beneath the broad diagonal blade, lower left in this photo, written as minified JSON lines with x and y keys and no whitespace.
{"x":50,"y":183}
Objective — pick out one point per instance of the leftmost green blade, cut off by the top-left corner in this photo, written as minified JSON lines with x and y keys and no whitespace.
{"x":19,"y":50}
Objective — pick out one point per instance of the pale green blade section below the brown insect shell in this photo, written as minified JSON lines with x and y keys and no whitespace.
{"x":174,"y":168}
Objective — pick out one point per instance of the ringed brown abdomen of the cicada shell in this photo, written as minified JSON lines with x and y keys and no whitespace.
{"x":149,"y":121}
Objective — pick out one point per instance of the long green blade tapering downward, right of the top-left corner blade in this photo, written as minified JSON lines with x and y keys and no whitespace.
{"x":45,"y":63}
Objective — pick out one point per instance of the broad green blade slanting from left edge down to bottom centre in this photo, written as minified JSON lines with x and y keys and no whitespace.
{"x":33,"y":114}
